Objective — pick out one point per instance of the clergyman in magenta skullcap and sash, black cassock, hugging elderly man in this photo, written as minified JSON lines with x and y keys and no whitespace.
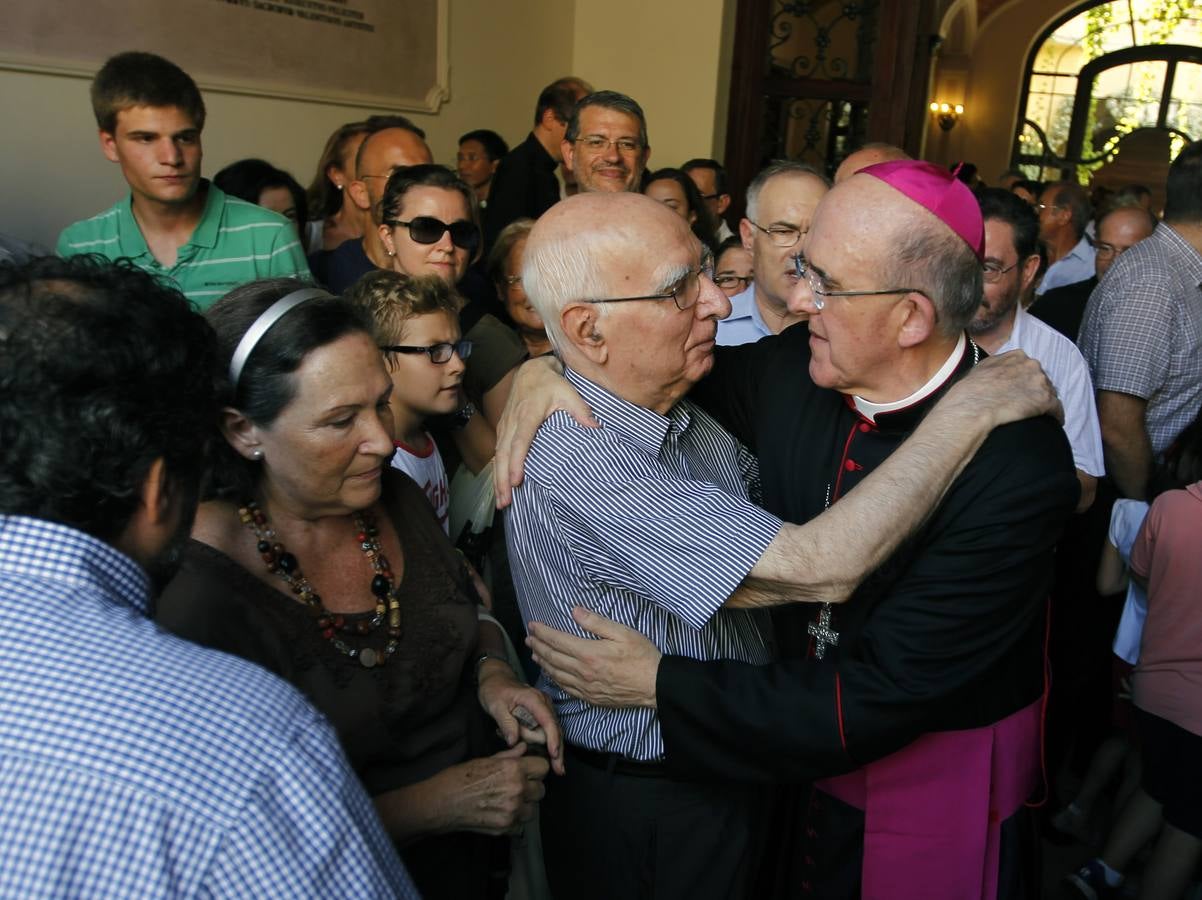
{"x":915,"y":706}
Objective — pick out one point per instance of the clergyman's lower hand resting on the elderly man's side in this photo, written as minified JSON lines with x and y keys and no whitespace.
{"x":616,"y":671}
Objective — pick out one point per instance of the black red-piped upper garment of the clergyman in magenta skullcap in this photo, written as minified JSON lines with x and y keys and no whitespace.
{"x":947,"y":635}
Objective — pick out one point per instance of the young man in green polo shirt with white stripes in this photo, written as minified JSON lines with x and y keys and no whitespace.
{"x":175,"y":224}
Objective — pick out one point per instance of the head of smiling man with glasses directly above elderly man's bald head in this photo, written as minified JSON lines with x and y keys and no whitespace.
{"x":606,"y":145}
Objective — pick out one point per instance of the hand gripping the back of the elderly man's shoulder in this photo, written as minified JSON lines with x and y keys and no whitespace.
{"x":539,"y":390}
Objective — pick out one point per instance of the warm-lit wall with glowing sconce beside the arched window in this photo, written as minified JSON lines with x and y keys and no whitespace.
{"x":989,"y":75}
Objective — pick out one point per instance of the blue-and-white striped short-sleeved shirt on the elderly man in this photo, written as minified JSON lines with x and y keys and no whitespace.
{"x":646,"y":521}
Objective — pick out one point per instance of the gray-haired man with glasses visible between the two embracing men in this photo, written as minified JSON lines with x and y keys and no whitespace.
{"x":781,"y":204}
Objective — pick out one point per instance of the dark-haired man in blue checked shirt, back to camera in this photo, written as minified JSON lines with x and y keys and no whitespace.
{"x":134,"y":765}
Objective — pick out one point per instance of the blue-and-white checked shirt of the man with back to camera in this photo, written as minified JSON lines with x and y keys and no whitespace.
{"x":138,"y":765}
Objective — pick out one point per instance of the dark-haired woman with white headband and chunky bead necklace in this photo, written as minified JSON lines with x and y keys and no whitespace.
{"x":314,"y":559}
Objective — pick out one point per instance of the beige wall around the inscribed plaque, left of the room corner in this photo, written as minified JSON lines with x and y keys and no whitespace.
{"x":502,"y":55}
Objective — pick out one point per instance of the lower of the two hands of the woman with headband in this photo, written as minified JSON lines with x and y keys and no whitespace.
{"x":495,"y":795}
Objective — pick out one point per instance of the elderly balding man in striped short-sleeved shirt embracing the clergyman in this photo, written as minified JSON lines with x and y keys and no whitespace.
{"x":648,"y":516}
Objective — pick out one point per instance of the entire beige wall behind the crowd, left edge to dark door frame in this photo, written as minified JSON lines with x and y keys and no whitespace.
{"x":675,"y":62}
